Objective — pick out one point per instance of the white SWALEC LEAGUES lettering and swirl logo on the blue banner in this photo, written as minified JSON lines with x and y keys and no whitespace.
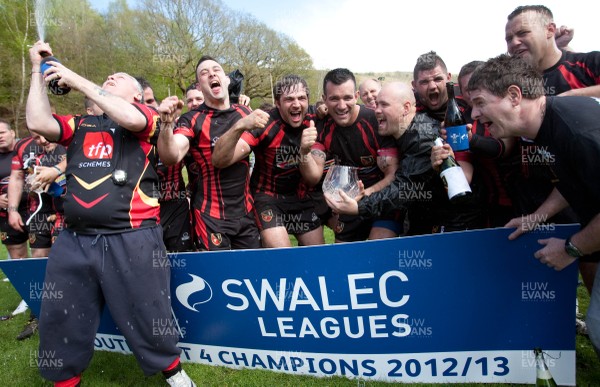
{"x":322,"y":316}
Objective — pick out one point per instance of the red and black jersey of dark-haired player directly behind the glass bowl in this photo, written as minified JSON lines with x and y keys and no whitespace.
{"x":357,"y":145}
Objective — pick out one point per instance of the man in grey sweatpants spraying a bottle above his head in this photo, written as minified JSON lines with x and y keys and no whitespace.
{"x":111,"y":252}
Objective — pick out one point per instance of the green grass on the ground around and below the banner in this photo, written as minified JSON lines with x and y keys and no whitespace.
{"x":113,"y":369}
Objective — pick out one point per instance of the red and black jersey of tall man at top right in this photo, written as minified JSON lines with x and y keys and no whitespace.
{"x":574,"y":70}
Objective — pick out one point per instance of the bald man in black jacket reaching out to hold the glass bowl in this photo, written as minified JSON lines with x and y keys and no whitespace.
{"x":414,"y":134}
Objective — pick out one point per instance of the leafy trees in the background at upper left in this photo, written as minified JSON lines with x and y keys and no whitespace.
{"x":160,"y":40}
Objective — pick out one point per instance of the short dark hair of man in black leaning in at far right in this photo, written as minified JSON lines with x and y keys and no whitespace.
{"x":499,"y":73}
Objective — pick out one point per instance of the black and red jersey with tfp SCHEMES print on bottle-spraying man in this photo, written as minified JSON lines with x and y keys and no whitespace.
{"x":97,"y":147}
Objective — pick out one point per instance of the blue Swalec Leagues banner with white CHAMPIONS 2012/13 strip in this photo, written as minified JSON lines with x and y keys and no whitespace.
{"x":446,"y":308}
